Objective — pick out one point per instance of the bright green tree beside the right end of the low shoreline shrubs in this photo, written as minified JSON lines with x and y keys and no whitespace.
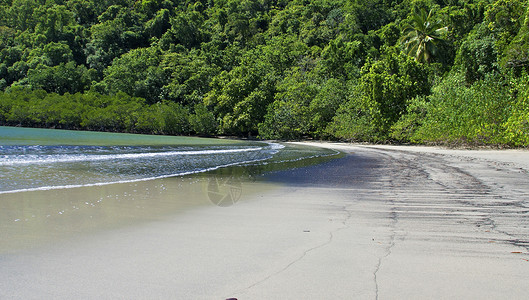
{"x":241,"y":96}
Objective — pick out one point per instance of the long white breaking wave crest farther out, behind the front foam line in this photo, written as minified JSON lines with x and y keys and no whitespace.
{"x":44,"y":159}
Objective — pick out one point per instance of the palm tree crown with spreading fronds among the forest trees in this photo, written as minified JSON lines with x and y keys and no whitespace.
{"x":422,"y":35}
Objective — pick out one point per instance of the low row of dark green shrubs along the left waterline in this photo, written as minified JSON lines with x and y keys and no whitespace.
{"x":93,"y":111}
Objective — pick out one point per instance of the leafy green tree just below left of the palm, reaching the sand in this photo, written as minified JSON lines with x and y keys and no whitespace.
{"x":381,"y":97}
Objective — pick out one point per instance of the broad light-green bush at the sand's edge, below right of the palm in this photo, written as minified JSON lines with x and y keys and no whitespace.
{"x":460,"y":114}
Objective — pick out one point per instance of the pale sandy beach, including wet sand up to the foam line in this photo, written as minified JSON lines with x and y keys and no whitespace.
{"x":382,"y":222}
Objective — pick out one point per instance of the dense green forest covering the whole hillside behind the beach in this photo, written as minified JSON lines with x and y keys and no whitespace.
{"x":423,"y":71}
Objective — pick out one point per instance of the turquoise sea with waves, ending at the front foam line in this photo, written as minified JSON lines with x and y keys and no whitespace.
{"x":43,"y":159}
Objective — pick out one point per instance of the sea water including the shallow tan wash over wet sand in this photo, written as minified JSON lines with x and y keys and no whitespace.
{"x":57,"y":184}
